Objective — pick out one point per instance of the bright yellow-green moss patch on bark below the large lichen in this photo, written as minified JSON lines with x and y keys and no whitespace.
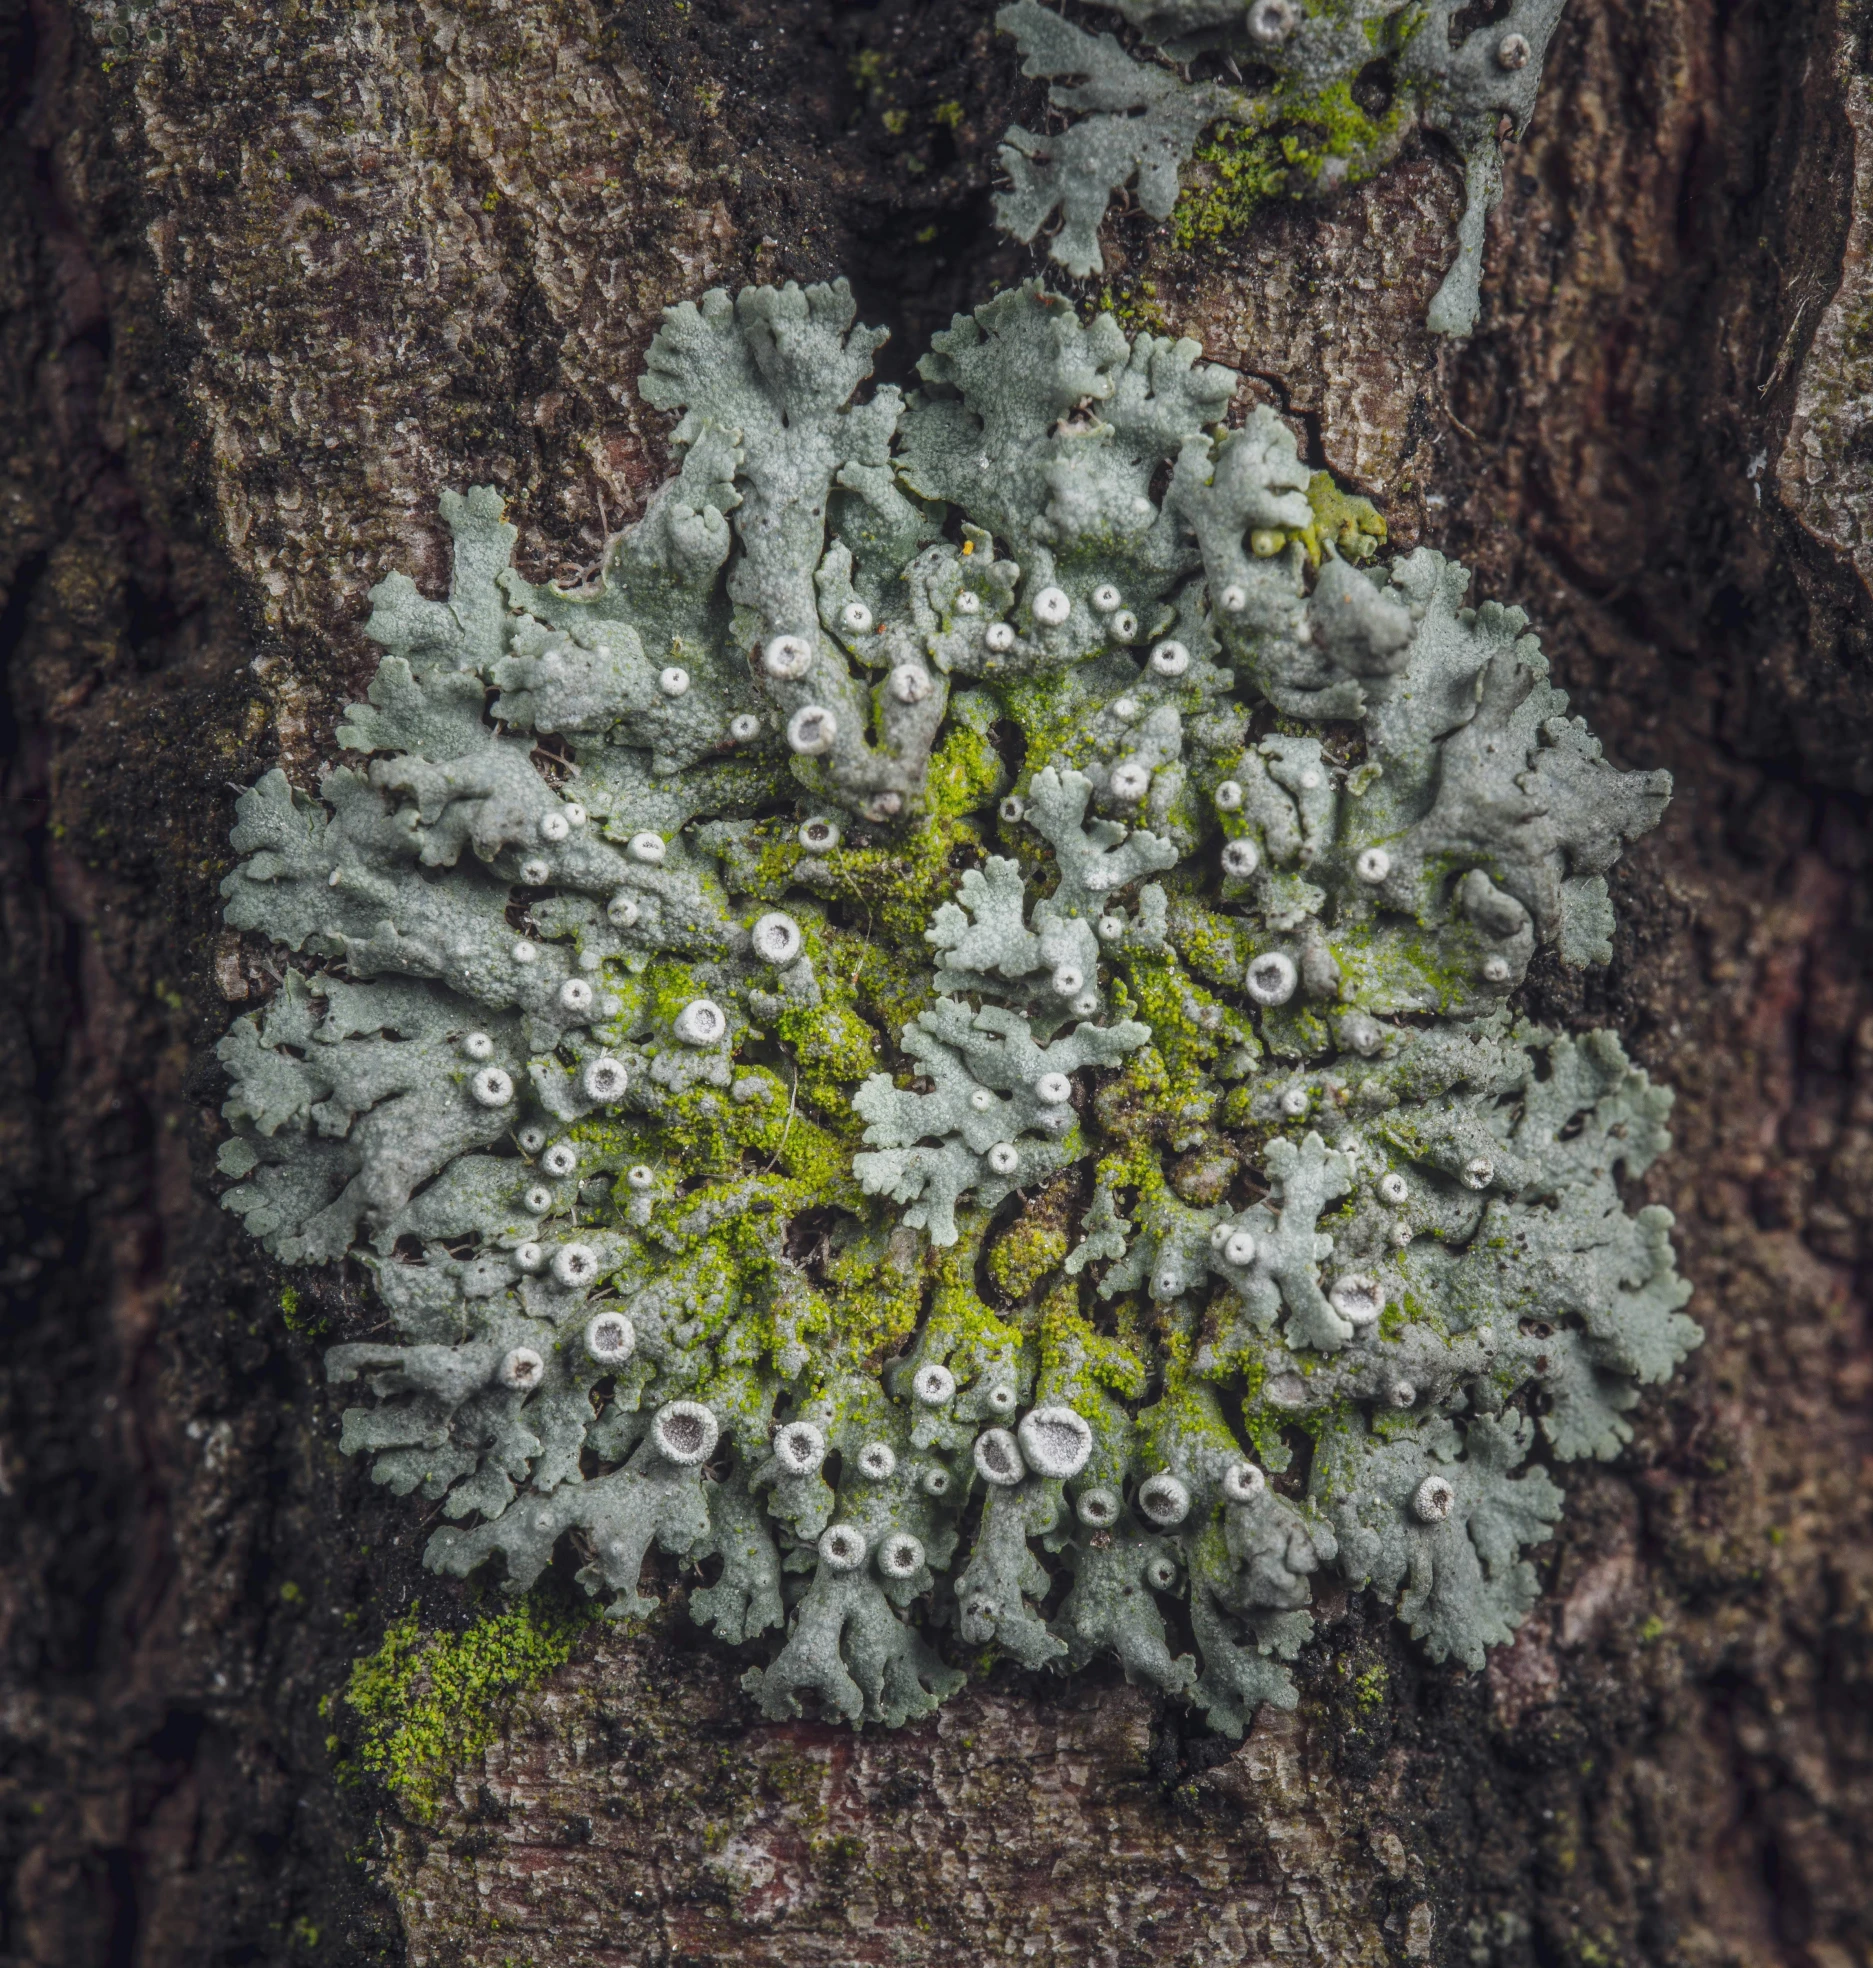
{"x":428,"y":1703}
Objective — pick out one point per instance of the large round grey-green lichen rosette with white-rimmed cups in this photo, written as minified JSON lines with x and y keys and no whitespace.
{"x":920,"y":1172}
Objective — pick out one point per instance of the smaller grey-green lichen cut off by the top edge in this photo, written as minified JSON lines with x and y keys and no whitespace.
{"x":1303,"y":95}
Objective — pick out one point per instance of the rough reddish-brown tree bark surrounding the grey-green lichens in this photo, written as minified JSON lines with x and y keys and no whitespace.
{"x":278,"y":277}
